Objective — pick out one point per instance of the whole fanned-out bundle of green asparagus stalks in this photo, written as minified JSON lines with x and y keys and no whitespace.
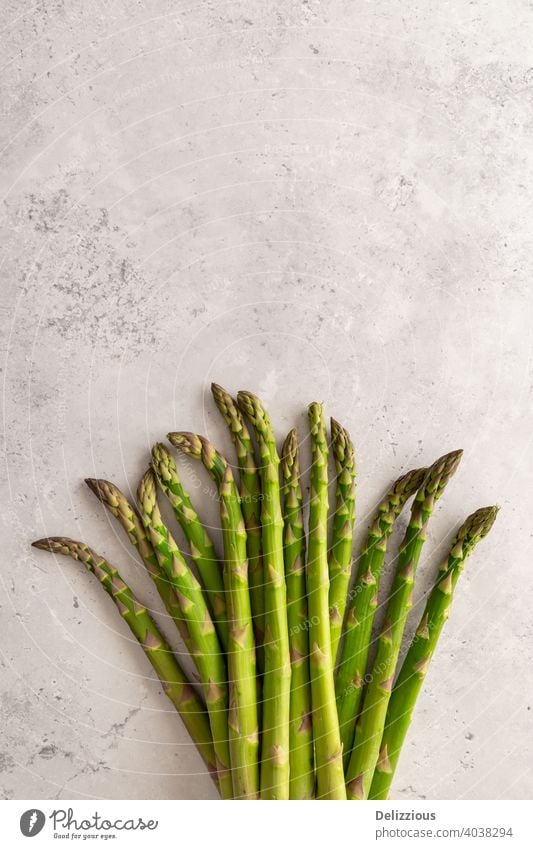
{"x":290,"y":703}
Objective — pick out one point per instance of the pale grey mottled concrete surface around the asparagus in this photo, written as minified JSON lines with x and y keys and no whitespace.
{"x":309,"y":199}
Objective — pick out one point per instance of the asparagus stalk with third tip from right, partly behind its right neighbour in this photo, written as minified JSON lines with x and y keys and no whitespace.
{"x":363,"y":601}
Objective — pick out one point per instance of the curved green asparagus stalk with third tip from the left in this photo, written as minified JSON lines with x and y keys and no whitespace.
{"x":206,"y":646}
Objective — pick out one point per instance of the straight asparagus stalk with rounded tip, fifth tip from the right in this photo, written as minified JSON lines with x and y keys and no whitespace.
{"x":301,"y":759}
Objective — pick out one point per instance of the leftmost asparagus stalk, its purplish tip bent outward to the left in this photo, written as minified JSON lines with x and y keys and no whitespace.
{"x":173,"y":678}
